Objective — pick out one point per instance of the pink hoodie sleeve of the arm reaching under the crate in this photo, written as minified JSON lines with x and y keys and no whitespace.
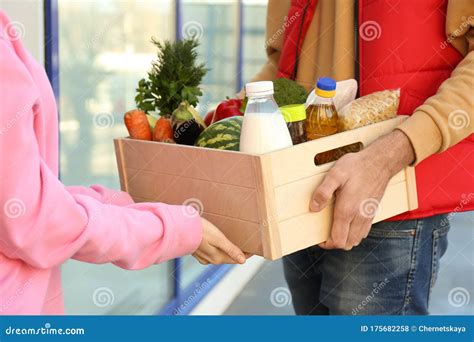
{"x":44,"y":223}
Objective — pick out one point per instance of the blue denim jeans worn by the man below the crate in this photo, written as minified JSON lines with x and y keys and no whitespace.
{"x":391,"y":272}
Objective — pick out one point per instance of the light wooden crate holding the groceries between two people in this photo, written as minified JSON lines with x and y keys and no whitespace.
{"x":260,"y":202}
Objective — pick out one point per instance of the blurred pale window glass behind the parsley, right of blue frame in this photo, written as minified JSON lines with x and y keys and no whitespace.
{"x":104,"y":49}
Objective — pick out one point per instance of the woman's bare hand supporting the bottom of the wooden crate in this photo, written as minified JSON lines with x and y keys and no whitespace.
{"x":215,"y":248}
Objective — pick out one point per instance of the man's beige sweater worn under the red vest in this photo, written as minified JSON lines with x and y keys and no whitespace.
{"x":428,"y":128}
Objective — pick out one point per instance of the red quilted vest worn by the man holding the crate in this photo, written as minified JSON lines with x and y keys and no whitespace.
{"x":408,"y":55}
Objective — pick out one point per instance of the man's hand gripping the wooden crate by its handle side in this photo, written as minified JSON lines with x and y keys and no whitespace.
{"x":358,"y":182}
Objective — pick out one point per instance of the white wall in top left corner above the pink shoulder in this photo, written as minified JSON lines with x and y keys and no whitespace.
{"x":30,"y":17}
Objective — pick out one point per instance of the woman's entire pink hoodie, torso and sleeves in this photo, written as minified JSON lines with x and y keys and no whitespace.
{"x":42,"y":222}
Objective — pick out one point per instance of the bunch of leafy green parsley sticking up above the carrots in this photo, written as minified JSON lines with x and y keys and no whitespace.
{"x":174,"y":77}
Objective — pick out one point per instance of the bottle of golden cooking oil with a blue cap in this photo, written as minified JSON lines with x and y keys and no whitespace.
{"x":321,"y":115}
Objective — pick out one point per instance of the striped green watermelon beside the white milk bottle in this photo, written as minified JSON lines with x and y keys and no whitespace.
{"x":222,"y":135}
